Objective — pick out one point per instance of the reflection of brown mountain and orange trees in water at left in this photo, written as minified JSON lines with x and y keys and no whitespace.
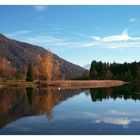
{"x":17,"y":103}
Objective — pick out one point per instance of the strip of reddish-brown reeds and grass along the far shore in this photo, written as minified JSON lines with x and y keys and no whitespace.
{"x":64,"y":84}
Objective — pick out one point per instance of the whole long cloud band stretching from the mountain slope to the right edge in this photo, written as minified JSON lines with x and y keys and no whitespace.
{"x":123,"y":40}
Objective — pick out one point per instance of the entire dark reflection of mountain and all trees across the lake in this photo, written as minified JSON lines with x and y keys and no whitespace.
{"x":16,"y":103}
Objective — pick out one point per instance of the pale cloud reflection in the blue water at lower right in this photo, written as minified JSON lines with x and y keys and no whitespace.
{"x":114,"y":117}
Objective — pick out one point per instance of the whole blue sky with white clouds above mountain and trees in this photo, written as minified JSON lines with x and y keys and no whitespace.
{"x":78,"y":34}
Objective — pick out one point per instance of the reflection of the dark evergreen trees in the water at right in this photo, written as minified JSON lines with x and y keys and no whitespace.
{"x":122,"y":92}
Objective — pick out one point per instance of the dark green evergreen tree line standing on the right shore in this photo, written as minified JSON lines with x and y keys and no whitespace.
{"x":114,"y":71}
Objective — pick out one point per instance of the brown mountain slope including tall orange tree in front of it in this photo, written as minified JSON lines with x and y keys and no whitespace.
{"x":19,"y":54}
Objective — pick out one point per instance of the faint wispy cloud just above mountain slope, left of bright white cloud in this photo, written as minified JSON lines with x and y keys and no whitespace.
{"x":45,"y":39}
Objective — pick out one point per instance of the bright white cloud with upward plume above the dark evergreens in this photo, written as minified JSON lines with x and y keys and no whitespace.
{"x":114,"y":41}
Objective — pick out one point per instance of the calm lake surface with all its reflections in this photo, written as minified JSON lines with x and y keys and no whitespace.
{"x":51,"y":111}
